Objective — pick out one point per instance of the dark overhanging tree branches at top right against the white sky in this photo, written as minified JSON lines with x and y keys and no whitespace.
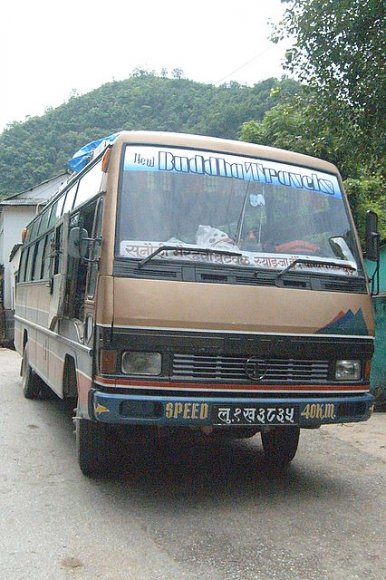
{"x":338,"y":52}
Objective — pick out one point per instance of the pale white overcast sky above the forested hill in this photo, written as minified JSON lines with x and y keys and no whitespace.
{"x":52,"y":50}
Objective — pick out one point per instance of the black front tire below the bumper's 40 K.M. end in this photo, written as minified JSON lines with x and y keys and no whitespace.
{"x":280,"y":445}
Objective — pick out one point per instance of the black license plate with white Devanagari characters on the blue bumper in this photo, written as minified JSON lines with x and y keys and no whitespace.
{"x":255,"y":415}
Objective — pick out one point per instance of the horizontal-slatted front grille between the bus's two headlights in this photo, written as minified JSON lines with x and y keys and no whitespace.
{"x":241,"y":369}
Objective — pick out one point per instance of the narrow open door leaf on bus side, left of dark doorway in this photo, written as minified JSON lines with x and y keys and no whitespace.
{"x":58,"y":272}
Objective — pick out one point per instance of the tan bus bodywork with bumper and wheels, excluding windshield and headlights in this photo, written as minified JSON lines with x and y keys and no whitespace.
{"x":220,"y":333}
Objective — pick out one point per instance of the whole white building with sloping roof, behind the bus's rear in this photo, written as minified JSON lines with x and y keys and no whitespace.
{"x":16,"y":212}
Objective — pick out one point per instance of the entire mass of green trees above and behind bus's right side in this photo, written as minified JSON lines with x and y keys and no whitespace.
{"x":338,"y":55}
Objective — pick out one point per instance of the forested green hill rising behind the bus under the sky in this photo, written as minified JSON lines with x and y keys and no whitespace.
{"x":40,"y":147}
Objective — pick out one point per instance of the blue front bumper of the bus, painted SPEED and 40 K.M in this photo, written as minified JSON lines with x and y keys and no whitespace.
{"x":201,"y":411}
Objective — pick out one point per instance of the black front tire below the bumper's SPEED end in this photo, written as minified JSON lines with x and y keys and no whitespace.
{"x":94,"y":446}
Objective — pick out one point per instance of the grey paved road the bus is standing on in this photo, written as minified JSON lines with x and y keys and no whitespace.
{"x":185,"y":510}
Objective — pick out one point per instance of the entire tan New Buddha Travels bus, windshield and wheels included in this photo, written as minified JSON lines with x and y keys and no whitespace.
{"x":182,"y":281}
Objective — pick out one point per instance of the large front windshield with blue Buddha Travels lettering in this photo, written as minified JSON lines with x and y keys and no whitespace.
{"x":272,"y":213}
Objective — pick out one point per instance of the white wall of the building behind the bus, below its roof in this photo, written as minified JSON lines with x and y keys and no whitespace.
{"x":13,"y":221}
